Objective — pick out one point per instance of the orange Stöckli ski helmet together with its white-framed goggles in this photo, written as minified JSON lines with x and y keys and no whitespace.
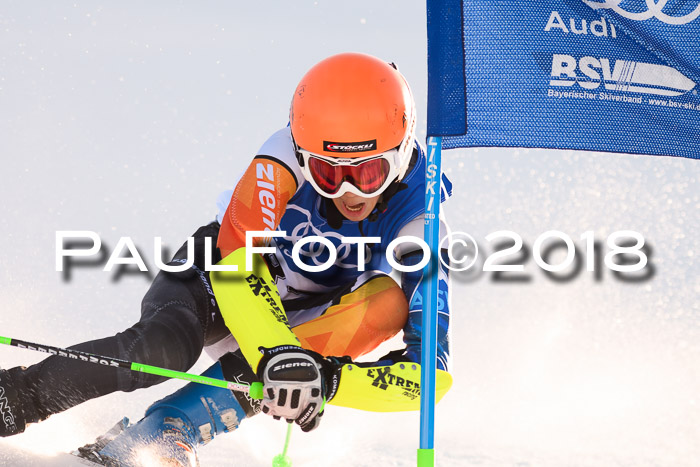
{"x":348,"y":109}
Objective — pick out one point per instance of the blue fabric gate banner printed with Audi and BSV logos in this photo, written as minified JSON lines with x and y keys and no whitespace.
{"x":600,"y":75}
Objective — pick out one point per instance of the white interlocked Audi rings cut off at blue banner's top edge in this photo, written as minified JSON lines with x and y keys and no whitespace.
{"x":642,"y":10}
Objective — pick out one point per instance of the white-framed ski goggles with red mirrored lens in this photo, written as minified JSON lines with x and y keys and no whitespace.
{"x":367,"y":177}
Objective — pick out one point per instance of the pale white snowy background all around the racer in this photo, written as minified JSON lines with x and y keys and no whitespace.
{"x":128,"y":119}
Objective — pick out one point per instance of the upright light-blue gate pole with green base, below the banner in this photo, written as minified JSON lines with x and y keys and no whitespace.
{"x":426,"y":452}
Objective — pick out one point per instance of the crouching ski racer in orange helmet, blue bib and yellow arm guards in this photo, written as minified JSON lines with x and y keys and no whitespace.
{"x":348,"y":169}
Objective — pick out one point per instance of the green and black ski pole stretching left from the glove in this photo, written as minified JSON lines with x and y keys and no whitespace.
{"x":255,"y":390}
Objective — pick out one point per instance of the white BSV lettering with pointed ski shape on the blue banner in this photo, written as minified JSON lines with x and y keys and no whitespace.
{"x":623,"y":75}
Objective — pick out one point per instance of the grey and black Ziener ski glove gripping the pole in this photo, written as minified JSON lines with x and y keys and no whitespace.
{"x":297,"y":383}
